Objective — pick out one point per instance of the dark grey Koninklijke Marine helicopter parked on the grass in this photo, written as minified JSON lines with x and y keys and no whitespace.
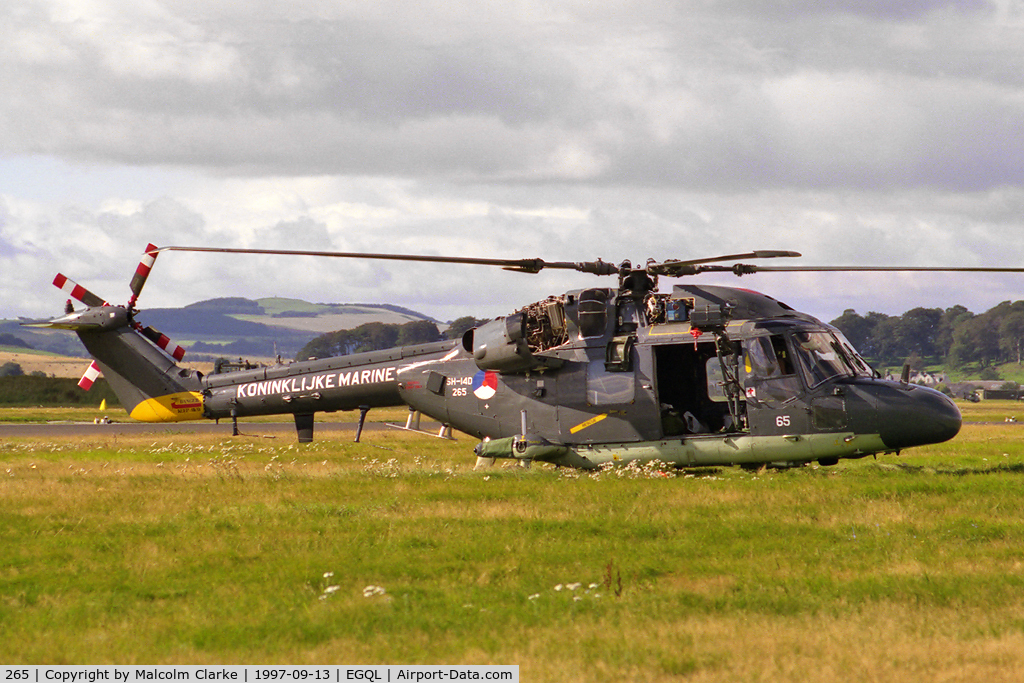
{"x":702,"y":376}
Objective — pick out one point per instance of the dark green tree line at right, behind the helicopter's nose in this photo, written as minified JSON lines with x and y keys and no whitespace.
{"x":955,"y":336}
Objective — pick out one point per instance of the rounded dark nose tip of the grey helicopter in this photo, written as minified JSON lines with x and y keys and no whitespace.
{"x":917,"y":416}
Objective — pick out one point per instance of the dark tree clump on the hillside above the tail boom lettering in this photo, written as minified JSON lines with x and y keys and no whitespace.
{"x":378,"y":336}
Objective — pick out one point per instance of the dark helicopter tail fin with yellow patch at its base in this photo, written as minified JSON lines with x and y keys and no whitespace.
{"x":150,"y":385}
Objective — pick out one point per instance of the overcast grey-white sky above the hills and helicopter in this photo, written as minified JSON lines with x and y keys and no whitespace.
{"x":859,"y":133}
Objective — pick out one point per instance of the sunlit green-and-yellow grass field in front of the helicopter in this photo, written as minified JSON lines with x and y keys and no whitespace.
{"x":137,"y":550}
